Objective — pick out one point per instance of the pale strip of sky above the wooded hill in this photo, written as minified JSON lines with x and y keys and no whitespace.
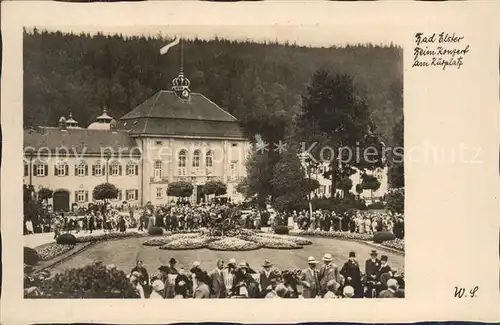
{"x":303,"y":35}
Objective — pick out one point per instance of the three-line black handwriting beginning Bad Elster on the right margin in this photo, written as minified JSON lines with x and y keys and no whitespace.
{"x":439,"y":50}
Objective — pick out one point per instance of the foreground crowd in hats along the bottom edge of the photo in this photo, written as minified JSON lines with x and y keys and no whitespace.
{"x":240,"y":280}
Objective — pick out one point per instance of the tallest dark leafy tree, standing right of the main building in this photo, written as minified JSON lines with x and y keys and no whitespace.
{"x":334,"y":117}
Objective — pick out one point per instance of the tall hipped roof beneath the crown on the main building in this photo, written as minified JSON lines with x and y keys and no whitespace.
{"x":166,"y":114}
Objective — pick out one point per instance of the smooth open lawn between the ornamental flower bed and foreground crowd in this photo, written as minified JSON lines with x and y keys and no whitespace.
{"x":124,"y":252}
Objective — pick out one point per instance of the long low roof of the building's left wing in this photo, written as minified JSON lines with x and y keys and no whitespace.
{"x":79,"y":140}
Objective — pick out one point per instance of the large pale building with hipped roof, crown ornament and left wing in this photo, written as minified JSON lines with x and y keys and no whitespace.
{"x":174,"y":135}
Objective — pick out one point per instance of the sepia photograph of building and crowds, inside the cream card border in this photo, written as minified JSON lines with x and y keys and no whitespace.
{"x":223,"y":162}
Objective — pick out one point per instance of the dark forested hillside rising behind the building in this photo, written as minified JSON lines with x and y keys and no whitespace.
{"x":82,"y":73}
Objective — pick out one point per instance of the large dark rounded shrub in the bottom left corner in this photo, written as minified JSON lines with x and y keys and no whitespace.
{"x":92,"y":281}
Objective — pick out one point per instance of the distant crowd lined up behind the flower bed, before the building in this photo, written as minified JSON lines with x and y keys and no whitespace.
{"x":185,"y":217}
